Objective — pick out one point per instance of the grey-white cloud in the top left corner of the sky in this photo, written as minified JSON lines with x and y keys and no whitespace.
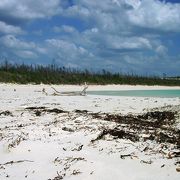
{"x":17,"y":11}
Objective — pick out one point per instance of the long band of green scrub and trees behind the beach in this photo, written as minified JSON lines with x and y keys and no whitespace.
{"x":51,"y":74}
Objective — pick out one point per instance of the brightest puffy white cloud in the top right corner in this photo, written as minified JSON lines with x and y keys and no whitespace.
{"x":156,"y":15}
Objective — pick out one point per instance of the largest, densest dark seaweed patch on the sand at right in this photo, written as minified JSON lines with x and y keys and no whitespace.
{"x":149,"y":126}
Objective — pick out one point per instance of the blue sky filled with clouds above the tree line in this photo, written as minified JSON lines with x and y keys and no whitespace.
{"x":127,"y":36}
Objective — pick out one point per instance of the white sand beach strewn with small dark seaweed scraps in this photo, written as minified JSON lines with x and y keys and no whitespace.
{"x":56,"y":137}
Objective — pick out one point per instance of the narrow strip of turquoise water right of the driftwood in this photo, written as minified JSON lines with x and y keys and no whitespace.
{"x":139,"y":93}
